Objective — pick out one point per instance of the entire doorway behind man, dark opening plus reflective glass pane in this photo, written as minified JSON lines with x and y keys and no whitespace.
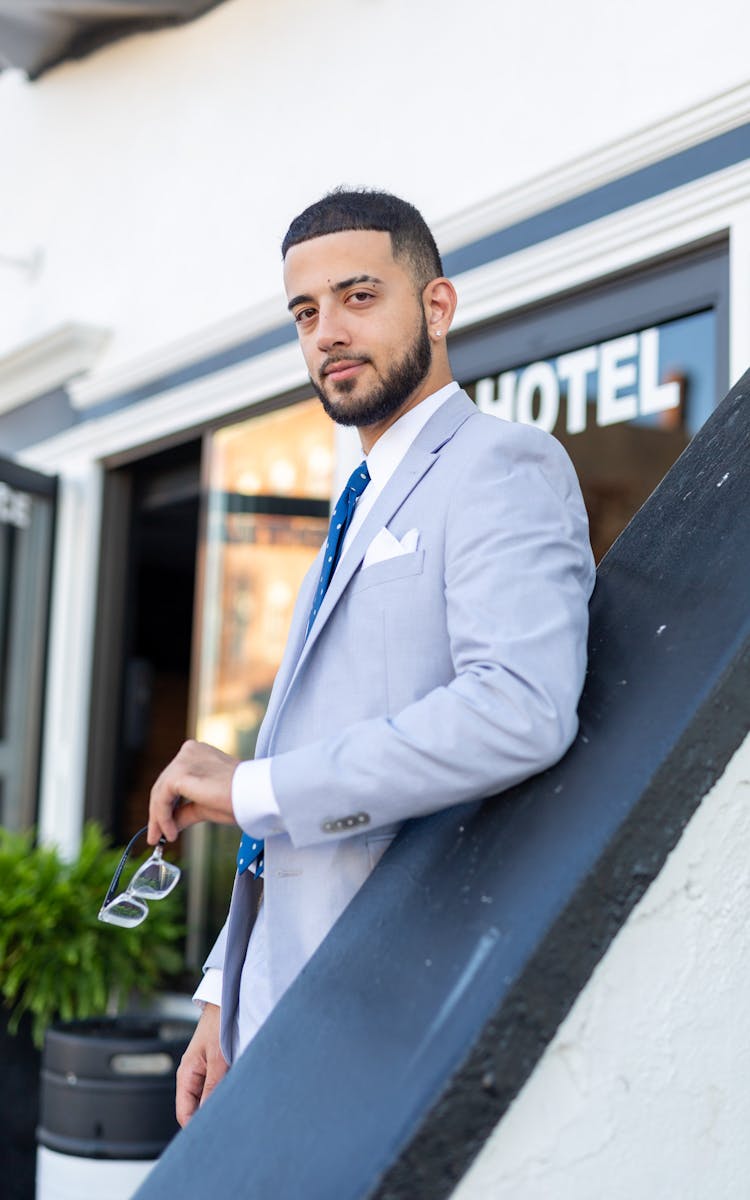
{"x":203,"y":551}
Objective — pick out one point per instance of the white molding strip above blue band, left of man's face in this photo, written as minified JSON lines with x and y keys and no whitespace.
{"x":221,"y":335}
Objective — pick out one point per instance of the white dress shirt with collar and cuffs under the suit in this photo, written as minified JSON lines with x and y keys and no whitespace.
{"x":253,"y":794}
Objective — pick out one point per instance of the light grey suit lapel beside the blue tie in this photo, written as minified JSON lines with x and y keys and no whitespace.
{"x":417,"y":463}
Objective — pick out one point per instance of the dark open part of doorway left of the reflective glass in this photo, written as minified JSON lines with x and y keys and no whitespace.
{"x":141,"y":686}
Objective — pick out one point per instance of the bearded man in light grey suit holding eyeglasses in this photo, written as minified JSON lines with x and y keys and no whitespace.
{"x":439,"y":645}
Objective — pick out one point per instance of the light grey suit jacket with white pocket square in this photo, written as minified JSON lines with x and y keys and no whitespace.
{"x":428,"y":680}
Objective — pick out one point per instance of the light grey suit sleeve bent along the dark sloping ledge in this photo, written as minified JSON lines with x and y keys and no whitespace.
{"x":518,"y":578}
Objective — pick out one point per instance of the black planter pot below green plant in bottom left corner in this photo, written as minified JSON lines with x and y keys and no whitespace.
{"x":20,"y":1100}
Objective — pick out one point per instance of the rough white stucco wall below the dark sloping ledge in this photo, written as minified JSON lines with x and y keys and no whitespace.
{"x":645,"y":1090}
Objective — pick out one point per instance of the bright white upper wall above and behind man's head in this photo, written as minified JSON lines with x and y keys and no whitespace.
{"x":159,"y":175}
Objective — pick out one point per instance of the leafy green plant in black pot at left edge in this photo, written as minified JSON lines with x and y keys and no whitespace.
{"x":59,"y":963}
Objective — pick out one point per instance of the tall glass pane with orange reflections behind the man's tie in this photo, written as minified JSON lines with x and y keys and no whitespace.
{"x":267,"y":513}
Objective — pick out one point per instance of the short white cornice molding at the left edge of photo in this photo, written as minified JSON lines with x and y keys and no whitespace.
{"x":49,"y":362}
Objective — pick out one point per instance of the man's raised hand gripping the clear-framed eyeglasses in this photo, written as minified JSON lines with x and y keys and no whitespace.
{"x":201,"y":778}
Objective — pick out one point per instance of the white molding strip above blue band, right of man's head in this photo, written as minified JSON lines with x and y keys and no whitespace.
{"x":613,"y":161}
